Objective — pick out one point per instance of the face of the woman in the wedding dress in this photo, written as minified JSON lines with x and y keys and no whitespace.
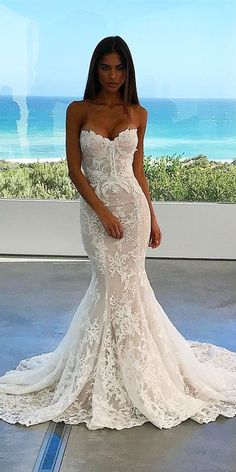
{"x":111,"y":70}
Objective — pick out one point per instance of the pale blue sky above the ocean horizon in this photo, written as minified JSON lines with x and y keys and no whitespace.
{"x":180,"y":48}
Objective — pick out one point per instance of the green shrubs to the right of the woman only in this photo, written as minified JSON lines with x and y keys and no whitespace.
{"x":191,"y":180}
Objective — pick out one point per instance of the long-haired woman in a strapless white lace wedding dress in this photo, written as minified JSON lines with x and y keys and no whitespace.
{"x":122,"y":362}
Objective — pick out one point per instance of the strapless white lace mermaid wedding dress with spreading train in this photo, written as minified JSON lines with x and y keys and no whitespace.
{"x":122,"y":362}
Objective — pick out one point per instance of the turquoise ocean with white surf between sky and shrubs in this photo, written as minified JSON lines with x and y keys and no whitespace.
{"x":33,"y":127}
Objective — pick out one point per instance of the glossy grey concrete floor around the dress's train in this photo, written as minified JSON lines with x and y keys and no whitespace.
{"x":37,"y":302}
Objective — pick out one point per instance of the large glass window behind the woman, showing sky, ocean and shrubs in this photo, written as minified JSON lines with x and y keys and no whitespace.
{"x":184,"y":59}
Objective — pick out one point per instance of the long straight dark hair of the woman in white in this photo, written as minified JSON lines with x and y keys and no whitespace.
{"x":128,"y":89}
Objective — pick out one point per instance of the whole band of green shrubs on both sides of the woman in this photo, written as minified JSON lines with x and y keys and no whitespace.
{"x":169,"y":179}
